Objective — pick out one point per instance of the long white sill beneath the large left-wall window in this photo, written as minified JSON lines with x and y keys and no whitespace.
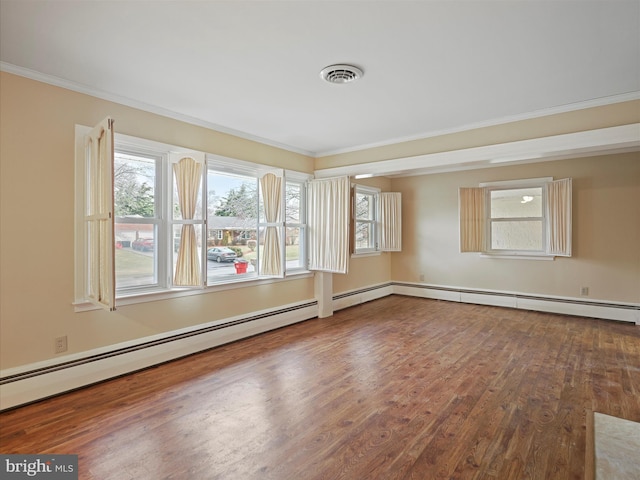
{"x":156,"y":295}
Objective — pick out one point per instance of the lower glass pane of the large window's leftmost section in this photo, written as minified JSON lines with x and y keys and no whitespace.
{"x":135,"y":259}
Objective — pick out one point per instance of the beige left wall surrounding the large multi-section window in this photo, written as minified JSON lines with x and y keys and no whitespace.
{"x":37,"y":226}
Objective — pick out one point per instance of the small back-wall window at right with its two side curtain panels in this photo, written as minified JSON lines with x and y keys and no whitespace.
{"x":522,"y":217}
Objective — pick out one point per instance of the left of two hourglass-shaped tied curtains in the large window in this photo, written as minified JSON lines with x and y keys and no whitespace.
{"x":188,"y":174}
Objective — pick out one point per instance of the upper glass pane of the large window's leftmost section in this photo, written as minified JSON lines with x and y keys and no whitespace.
{"x":133,"y":185}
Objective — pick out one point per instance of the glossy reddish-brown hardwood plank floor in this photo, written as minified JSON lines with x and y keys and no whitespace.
{"x":397,"y":388}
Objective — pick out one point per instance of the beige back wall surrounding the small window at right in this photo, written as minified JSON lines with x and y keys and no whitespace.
{"x":606,"y":232}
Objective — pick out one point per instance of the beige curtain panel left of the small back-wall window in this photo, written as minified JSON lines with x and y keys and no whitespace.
{"x":472,"y":219}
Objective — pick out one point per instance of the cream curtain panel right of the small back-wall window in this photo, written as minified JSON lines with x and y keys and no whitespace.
{"x":559,"y":217}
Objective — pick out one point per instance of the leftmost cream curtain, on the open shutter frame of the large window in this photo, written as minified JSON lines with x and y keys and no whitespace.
{"x":99,"y":216}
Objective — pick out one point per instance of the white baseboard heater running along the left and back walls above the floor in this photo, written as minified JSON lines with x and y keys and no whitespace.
{"x":34,"y":382}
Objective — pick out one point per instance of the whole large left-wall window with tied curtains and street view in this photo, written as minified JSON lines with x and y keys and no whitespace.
{"x":172,"y":207}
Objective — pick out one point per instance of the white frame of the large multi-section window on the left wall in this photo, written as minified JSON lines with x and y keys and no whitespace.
{"x":164,"y":249}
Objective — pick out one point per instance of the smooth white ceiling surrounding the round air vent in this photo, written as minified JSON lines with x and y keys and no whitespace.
{"x":252,"y":68}
